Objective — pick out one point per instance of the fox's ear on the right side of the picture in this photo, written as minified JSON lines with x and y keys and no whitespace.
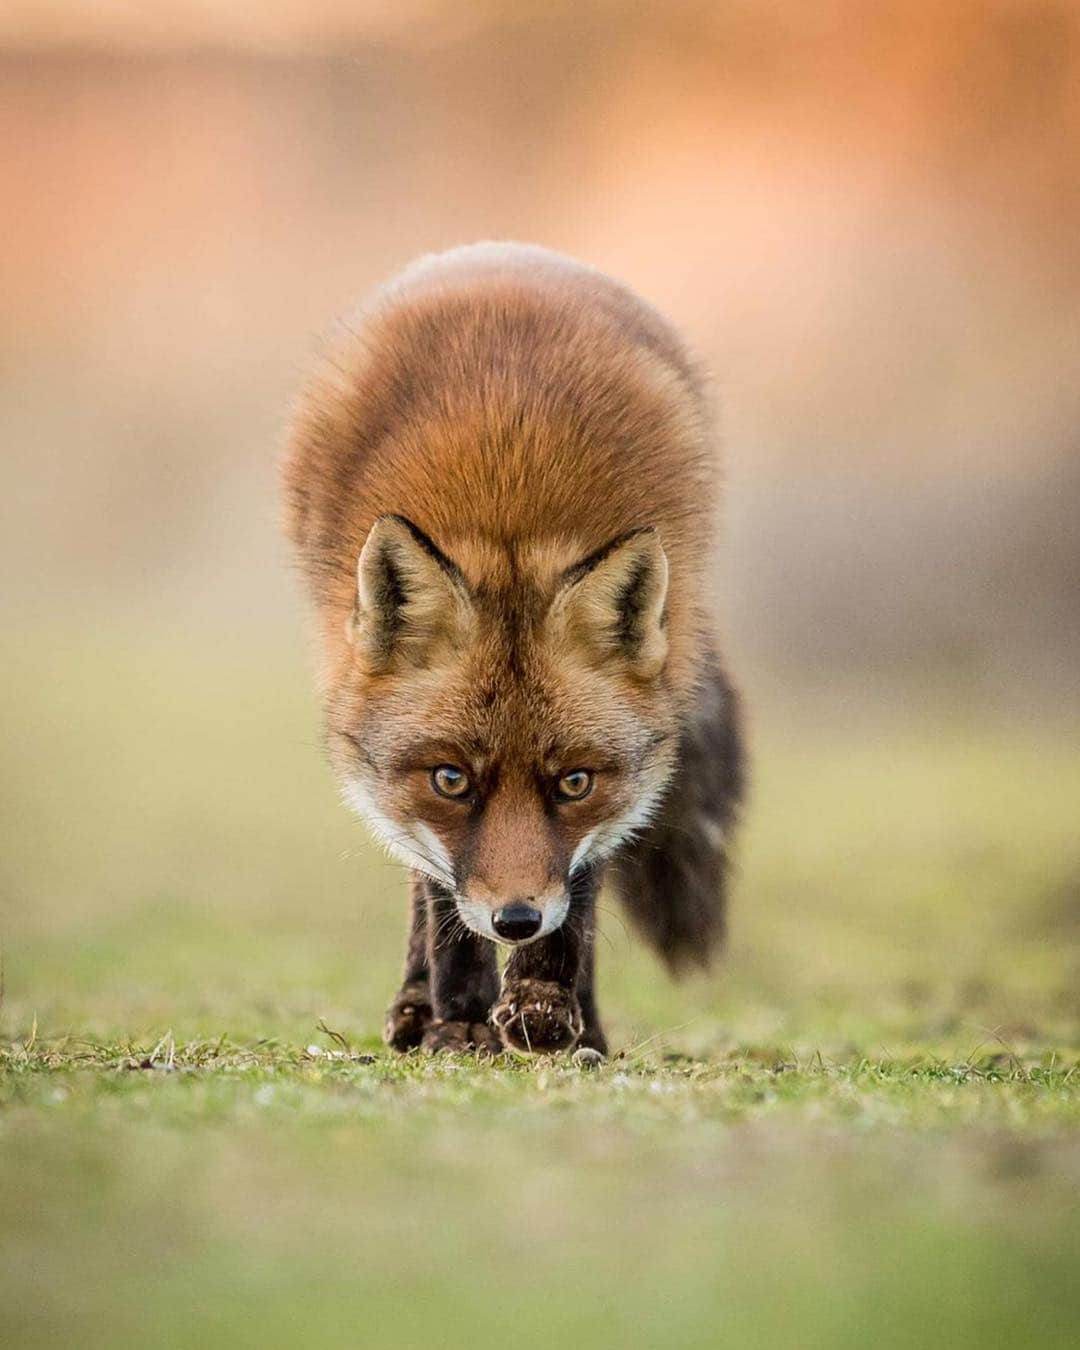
{"x":612,"y":603}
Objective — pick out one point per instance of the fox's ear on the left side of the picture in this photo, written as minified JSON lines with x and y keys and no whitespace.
{"x":410,"y":597}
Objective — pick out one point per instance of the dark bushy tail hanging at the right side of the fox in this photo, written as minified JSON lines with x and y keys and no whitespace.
{"x":673,"y":878}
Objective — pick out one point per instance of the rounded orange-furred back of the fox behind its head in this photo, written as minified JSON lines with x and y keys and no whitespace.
{"x":506,"y":399}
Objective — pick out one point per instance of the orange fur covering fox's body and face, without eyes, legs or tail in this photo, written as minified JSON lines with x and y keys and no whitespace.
{"x":502,"y":488}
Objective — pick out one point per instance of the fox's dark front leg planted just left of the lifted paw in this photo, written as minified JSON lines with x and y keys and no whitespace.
{"x":464,"y":981}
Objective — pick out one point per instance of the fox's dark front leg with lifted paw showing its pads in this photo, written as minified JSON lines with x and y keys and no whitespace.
{"x":547,"y":986}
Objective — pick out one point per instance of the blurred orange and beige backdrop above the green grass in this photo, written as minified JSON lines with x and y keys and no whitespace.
{"x":866,"y":217}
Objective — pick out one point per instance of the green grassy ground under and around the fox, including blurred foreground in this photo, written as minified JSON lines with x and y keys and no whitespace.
{"x":866,"y":1131}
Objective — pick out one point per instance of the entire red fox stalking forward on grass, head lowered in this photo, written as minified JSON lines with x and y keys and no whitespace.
{"x":502,"y":485}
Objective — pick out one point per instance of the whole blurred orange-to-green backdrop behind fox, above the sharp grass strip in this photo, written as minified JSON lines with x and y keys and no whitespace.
{"x":865,"y":217}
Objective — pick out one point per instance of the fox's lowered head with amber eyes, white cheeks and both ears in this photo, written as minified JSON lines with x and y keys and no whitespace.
{"x":502,"y":716}
